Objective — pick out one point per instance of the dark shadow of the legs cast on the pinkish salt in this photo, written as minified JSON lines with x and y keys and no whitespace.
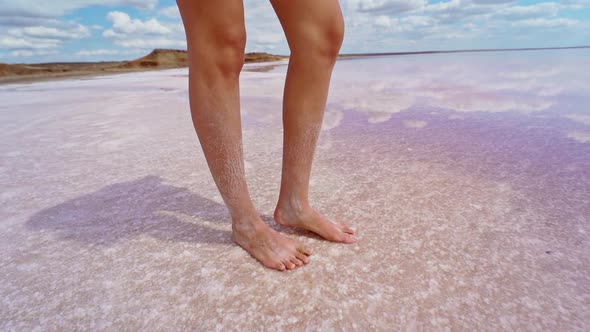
{"x":146,"y":206}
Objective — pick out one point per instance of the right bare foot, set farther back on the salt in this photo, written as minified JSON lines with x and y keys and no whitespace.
{"x":303,"y":216}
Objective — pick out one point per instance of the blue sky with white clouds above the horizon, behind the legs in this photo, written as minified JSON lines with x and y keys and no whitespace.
{"x":92,"y":30}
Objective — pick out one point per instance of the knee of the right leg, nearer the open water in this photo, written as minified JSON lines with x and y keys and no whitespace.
{"x":322,"y":40}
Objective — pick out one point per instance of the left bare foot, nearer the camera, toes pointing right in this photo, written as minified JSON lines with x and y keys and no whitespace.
{"x":268,"y":246}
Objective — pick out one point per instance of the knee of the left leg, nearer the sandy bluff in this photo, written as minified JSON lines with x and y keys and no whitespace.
{"x":220,"y":51}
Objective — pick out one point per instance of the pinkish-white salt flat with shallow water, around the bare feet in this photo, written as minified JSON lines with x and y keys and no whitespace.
{"x":466,"y":177}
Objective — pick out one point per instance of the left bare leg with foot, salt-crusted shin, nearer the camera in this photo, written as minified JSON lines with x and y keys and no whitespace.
{"x":216,"y":39}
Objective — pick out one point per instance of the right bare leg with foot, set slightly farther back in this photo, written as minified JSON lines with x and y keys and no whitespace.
{"x":314,"y":31}
